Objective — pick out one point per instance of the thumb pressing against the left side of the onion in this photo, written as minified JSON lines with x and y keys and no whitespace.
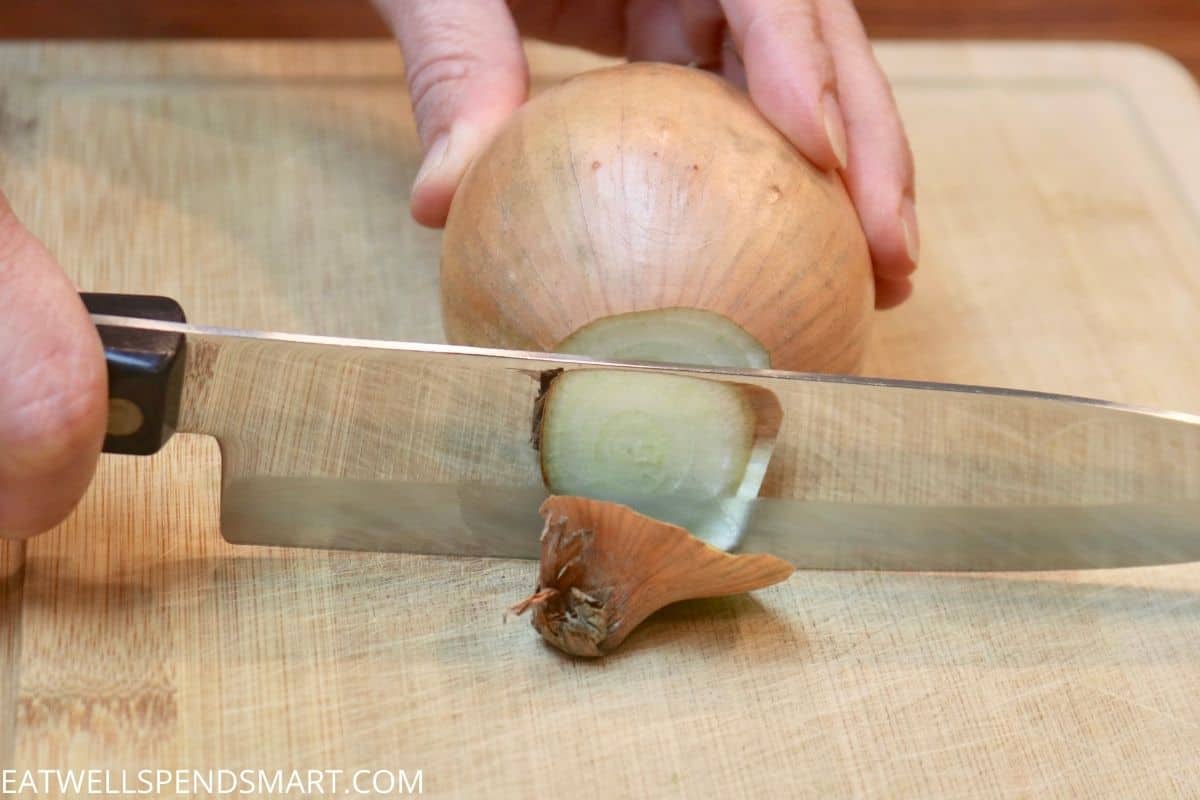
{"x":466,"y":74}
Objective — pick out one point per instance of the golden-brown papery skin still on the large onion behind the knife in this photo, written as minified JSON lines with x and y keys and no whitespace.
{"x":651,"y":187}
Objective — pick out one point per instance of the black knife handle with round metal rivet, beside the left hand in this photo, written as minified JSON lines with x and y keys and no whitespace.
{"x":146,"y":372}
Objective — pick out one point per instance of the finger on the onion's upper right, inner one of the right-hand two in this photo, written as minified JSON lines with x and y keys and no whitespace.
{"x":790,"y":74}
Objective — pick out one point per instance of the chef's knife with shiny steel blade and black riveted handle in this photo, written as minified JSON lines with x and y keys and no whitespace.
{"x":399,"y":447}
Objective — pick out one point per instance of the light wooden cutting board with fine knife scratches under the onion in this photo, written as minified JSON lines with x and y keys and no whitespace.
{"x":266,"y":187}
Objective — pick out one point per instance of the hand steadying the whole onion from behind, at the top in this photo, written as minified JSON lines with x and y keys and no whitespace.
{"x":807,"y":64}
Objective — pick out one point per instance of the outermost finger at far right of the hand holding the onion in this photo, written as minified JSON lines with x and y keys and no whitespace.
{"x":880,"y":169}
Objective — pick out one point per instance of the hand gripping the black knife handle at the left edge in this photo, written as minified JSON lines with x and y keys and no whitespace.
{"x":53,"y":387}
